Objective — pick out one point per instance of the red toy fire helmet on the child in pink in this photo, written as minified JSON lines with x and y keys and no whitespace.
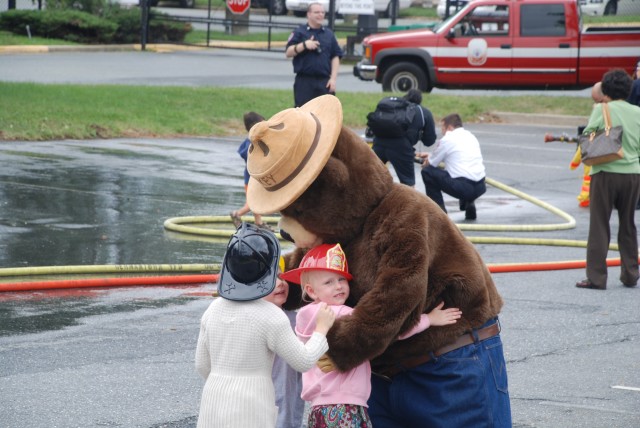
{"x":327,"y":257}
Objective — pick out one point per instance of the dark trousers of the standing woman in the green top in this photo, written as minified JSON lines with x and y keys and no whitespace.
{"x":608,"y":191}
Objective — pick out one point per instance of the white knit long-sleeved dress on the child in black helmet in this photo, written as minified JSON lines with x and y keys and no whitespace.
{"x":235,"y":354}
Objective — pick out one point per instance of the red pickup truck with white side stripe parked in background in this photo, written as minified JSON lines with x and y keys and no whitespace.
{"x":501,"y":44}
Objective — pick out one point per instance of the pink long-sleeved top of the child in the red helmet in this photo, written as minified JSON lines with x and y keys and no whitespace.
{"x":351,"y":387}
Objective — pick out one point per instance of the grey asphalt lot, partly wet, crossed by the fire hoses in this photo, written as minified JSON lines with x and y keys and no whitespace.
{"x":123,"y":357}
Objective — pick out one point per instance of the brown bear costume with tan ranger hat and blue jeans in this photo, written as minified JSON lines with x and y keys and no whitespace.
{"x":405,"y":256}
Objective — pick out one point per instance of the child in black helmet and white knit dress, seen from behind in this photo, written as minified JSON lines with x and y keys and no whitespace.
{"x":240,"y":333}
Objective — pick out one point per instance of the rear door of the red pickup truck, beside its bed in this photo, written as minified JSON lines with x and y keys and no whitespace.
{"x":545,"y":48}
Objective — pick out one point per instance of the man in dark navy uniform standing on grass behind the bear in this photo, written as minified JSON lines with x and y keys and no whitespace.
{"x":316,"y":57}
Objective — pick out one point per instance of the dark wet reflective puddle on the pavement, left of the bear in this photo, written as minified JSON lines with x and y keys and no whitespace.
{"x":104,"y":202}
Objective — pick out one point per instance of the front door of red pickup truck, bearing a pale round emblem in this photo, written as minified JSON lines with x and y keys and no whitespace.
{"x":476,"y":51}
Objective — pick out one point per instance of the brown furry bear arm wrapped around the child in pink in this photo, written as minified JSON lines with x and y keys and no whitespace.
{"x":389,"y":301}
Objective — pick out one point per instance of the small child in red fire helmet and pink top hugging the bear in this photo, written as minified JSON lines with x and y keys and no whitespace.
{"x":339,"y":398}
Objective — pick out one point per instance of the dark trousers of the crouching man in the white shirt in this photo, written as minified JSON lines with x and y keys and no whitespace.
{"x":438,"y":180}
